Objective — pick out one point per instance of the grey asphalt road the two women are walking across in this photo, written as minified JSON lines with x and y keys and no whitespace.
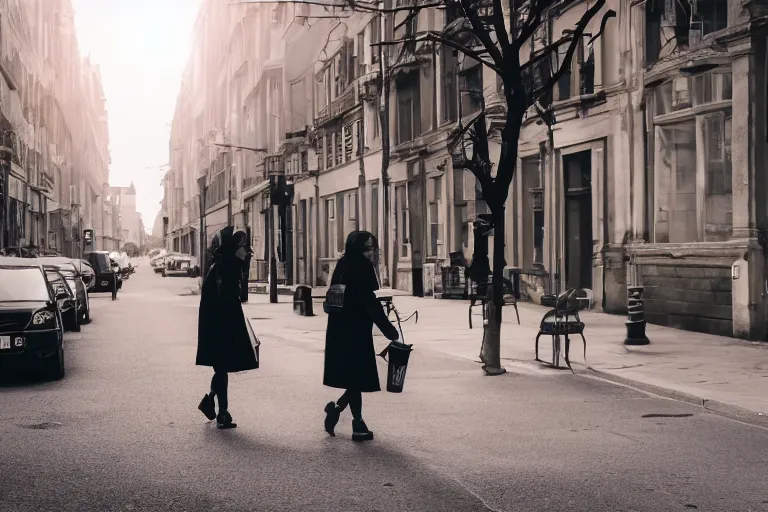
{"x":122,"y":432}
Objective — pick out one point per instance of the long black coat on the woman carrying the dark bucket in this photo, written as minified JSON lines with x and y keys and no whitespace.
{"x":350,"y":357}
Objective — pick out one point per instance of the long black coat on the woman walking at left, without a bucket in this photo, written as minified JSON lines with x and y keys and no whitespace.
{"x":223,"y":340}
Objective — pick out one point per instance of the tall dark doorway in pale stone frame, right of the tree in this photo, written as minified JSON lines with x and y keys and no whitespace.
{"x":577,"y":174}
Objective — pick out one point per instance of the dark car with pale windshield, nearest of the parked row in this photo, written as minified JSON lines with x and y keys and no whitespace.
{"x":31,"y":327}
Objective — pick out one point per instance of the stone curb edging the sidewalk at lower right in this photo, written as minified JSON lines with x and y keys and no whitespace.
{"x":715,"y":406}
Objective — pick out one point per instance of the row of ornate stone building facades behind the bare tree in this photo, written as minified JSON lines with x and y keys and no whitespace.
{"x":649,"y":172}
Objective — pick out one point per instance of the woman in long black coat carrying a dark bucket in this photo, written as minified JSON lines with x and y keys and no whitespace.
{"x":350,"y":357}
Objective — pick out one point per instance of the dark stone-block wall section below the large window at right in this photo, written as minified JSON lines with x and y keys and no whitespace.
{"x":695,"y":298}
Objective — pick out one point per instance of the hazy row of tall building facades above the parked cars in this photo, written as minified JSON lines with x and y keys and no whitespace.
{"x":54,"y":131}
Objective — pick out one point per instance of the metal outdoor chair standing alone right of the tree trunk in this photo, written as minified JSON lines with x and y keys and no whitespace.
{"x":563,"y":321}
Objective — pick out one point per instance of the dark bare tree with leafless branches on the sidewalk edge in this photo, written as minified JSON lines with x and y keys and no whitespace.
{"x":493,"y":33}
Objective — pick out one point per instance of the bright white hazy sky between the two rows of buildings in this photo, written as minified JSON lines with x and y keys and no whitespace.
{"x":141,"y":47}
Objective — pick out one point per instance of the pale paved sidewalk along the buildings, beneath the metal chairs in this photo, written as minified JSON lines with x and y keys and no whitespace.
{"x":722,"y":374}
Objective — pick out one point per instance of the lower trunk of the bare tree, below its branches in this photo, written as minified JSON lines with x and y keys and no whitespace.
{"x":490,"y":354}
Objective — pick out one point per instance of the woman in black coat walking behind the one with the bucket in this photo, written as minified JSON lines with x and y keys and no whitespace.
{"x":223,"y":340}
